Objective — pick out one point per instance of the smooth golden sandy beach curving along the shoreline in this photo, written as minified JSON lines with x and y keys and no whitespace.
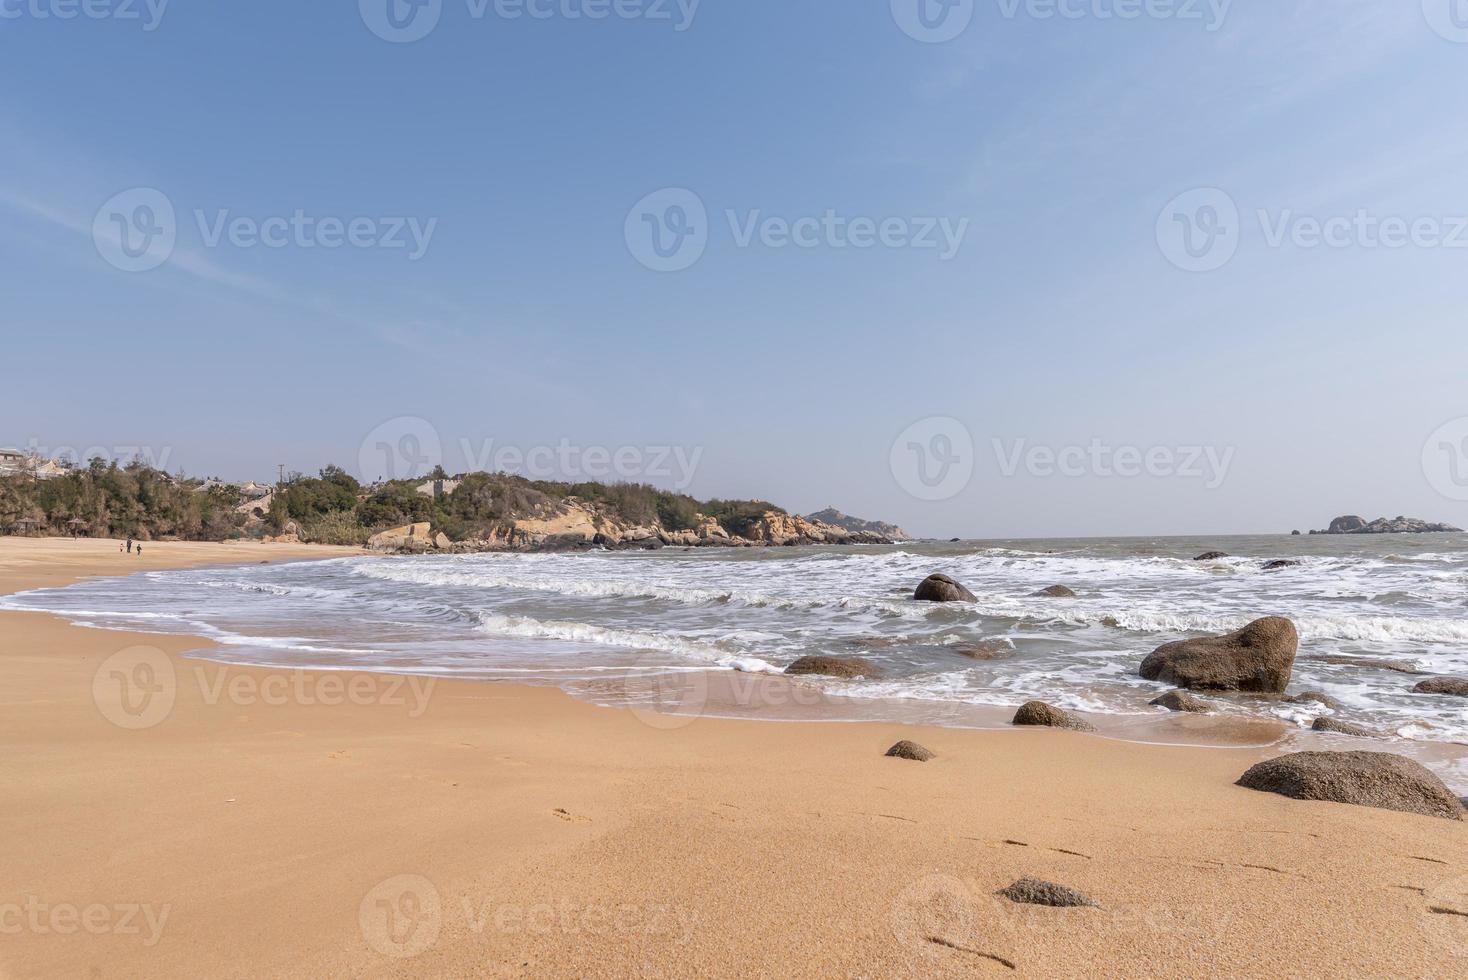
{"x":171,"y":816}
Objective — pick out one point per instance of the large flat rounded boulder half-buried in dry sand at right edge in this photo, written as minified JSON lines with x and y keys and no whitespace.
{"x":1366,"y":780}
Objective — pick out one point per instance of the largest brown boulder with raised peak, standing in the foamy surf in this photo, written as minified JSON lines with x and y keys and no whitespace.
{"x":1259,"y":659}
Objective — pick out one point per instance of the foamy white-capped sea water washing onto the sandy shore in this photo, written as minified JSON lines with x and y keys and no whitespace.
{"x":633,"y":629}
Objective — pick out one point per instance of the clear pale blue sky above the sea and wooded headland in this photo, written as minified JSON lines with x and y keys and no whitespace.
{"x":1058,"y":145}
